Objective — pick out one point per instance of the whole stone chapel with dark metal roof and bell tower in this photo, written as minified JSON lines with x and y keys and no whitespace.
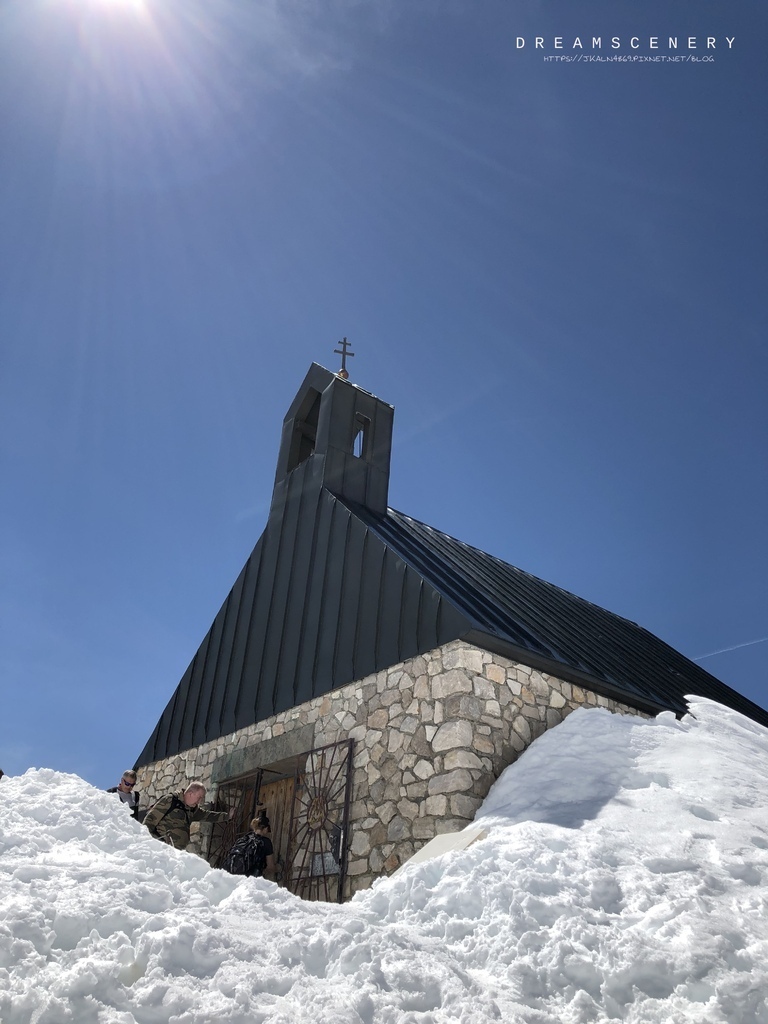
{"x":369,"y":677}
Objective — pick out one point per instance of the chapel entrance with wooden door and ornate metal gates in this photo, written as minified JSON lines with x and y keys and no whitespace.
{"x":308,"y":800}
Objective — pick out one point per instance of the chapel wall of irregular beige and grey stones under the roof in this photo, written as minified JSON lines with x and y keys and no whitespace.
{"x":432,"y":737}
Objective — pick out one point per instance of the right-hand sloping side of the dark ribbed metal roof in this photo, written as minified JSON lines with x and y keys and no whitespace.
{"x":534,"y":621}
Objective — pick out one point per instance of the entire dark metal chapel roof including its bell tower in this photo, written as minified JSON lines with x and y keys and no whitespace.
{"x":339,"y":586}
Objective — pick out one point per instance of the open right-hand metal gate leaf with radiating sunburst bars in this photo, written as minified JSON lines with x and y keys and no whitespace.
{"x":317,"y":859}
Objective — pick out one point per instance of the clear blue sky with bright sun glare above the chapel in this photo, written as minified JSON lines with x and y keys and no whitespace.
{"x":556,"y":272}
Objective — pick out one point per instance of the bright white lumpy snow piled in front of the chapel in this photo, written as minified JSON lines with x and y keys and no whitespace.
{"x":625,"y":877}
